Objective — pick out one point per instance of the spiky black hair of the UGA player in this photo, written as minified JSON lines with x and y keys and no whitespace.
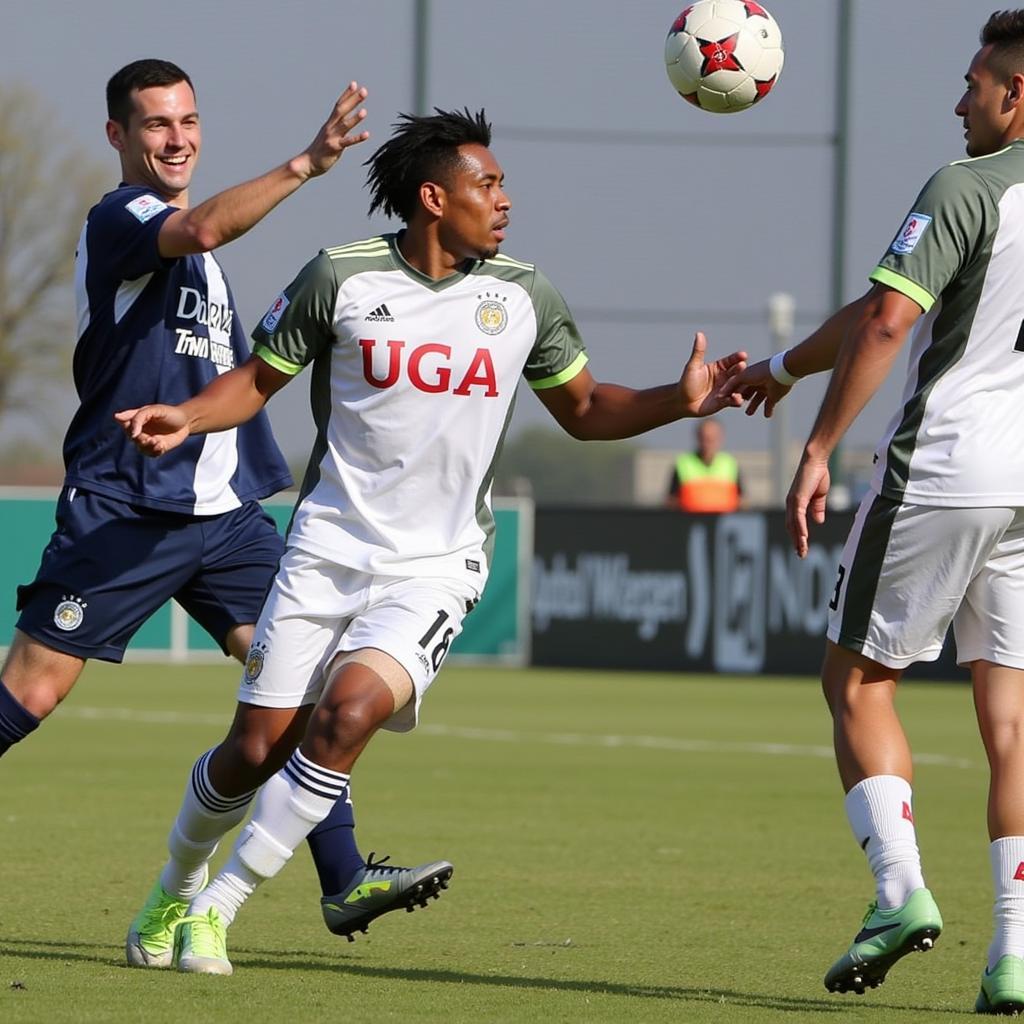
{"x":422,"y":149}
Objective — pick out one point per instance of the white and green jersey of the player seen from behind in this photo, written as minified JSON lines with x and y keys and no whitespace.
{"x":958,"y":439}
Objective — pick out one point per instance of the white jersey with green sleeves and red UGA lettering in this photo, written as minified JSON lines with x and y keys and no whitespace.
{"x":412,"y":393}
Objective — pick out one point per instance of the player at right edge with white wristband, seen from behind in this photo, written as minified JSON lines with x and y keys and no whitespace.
{"x":941,"y":537}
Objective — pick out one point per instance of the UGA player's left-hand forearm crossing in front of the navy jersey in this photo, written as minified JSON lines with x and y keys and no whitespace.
{"x":227,"y":402}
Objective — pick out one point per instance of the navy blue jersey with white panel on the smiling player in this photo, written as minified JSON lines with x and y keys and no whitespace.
{"x":157,"y":330}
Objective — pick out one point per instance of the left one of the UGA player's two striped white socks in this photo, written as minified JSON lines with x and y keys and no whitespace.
{"x":205,"y":817}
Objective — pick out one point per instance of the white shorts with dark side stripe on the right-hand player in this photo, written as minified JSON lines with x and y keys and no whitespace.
{"x":910,"y":571}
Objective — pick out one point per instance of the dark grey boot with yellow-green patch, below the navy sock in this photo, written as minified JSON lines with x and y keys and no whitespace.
{"x":379,"y":888}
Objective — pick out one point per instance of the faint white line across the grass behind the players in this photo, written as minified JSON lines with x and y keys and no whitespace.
{"x":514,"y":737}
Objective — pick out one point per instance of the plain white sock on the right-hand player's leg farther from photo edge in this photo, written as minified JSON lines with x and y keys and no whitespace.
{"x":881,"y":814}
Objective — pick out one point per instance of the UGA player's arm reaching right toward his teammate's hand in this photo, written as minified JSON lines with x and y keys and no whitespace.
{"x":592,"y":411}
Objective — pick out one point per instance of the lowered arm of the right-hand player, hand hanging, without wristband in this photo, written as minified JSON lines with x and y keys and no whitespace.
{"x":864,"y":362}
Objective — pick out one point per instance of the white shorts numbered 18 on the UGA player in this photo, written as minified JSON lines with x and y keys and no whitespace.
{"x":317,"y":610}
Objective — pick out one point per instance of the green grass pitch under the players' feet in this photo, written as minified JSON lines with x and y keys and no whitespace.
{"x":637,"y":848}
